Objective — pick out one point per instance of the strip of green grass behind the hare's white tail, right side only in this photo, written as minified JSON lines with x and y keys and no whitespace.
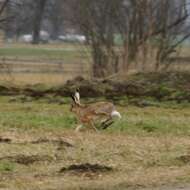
{"x":155,"y":120}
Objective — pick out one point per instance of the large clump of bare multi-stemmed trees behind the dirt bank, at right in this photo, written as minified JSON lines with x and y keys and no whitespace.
{"x":149,"y":32}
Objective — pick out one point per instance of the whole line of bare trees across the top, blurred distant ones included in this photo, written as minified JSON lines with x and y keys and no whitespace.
{"x":121,"y":33}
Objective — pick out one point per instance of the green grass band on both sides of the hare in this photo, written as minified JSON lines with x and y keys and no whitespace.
{"x":166,"y":119}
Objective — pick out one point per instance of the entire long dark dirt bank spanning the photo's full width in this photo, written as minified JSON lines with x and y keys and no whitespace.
{"x":161,"y":86}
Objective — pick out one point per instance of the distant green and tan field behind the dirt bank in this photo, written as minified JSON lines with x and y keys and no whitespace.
{"x":56,"y":63}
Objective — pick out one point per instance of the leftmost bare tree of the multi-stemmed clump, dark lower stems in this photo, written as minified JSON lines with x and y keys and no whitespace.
{"x":96,"y":21}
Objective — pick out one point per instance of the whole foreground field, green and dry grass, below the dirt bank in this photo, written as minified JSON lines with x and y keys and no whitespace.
{"x":39,"y":149}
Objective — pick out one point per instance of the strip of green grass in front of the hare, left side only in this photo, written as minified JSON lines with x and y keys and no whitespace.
{"x":35,"y":115}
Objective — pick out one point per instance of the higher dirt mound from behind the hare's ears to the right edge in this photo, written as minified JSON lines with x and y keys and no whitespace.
{"x":161,"y":86}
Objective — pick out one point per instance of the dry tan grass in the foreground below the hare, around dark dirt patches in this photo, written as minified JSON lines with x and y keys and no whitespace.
{"x":136,"y":161}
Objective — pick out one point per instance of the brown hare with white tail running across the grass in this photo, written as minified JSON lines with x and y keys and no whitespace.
{"x":87,"y":114}
